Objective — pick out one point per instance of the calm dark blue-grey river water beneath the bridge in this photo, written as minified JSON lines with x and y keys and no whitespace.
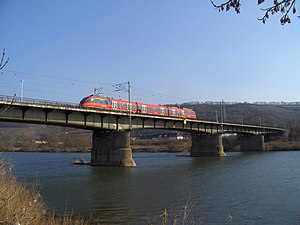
{"x":242,"y":188}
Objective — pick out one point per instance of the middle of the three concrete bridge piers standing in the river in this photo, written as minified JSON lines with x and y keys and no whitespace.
{"x":207,"y":145}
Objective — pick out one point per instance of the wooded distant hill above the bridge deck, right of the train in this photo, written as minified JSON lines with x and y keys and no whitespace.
{"x":280,"y":115}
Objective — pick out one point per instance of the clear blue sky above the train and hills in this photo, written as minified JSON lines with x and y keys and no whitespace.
{"x":171,"y":51}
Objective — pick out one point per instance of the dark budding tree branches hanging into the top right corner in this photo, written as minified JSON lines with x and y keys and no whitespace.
{"x":286,"y":7}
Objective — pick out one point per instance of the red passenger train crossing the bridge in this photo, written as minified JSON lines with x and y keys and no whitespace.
{"x":94,"y":101}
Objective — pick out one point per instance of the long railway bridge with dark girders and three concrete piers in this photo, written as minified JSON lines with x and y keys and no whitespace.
{"x":111,"y":129}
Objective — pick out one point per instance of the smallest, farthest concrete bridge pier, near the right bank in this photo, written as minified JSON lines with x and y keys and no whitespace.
{"x":252,"y":143}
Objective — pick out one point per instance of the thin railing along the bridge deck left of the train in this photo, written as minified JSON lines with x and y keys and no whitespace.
{"x":36,"y":101}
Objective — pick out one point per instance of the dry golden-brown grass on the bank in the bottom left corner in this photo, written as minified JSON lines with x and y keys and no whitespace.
{"x":21,"y":205}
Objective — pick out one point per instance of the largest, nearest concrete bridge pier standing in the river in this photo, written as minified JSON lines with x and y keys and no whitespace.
{"x":111,"y":149}
